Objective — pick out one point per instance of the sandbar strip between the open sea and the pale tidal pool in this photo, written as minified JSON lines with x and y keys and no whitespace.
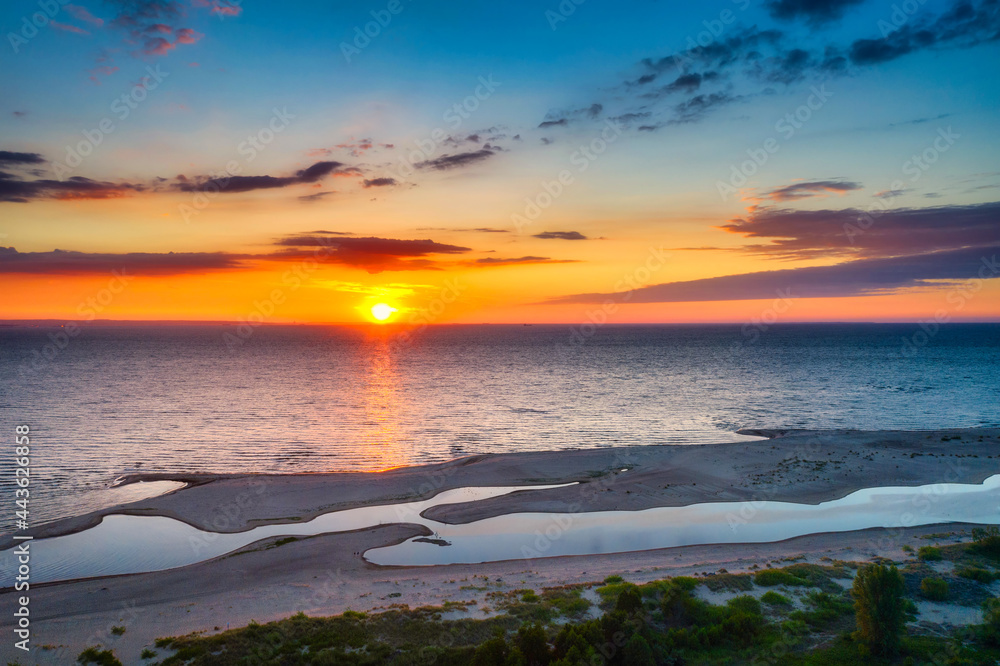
{"x":801,"y":466}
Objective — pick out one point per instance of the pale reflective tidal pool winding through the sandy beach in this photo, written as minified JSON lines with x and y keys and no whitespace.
{"x":133,"y":544}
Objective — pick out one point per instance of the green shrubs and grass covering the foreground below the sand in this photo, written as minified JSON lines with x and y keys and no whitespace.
{"x":660,"y":622}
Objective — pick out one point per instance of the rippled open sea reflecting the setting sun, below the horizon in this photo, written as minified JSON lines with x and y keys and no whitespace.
{"x":295,"y":399}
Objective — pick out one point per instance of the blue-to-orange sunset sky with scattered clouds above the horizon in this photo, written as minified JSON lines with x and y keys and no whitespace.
{"x":565,"y":162}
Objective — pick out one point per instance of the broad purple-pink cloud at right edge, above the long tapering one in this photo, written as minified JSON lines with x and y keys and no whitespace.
{"x":797,"y":234}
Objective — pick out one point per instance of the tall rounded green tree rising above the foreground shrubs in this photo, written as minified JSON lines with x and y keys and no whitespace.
{"x":880,"y":608}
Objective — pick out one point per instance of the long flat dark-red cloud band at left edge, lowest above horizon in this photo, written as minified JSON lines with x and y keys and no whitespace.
{"x":62,"y":262}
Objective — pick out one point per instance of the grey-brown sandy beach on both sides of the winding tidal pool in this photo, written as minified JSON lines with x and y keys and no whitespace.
{"x":326,"y":574}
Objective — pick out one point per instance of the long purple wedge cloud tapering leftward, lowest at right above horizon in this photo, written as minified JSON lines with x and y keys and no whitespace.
{"x":863,"y":277}
